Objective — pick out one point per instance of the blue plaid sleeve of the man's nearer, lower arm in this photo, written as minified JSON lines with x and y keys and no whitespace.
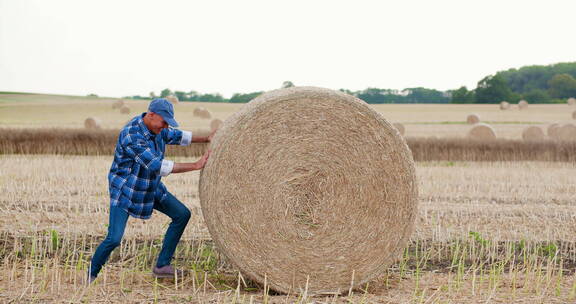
{"x":138,"y":149}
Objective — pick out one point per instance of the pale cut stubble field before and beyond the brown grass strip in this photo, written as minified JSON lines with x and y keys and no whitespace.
{"x":486,"y":231}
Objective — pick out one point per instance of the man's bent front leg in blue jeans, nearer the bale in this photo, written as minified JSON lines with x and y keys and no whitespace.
{"x":180,"y":215}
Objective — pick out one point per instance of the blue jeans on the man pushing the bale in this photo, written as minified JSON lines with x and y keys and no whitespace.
{"x":170,"y":206}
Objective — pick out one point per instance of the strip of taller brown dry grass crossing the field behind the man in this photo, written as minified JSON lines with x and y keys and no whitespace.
{"x":102,"y":142}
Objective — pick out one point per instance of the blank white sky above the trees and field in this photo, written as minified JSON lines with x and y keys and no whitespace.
{"x":119,"y":48}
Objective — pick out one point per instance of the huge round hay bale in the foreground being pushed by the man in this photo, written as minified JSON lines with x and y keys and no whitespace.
{"x":309,"y":189}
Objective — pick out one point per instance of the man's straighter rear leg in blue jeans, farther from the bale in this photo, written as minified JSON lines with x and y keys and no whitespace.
{"x":116,"y":226}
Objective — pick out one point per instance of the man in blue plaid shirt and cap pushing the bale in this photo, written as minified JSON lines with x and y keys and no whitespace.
{"x":135,"y":187}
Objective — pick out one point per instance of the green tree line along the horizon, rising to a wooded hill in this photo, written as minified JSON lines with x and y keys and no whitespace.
{"x":535,"y":84}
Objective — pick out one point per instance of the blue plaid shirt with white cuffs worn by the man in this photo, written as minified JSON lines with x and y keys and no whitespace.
{"x":134,"y":178}
